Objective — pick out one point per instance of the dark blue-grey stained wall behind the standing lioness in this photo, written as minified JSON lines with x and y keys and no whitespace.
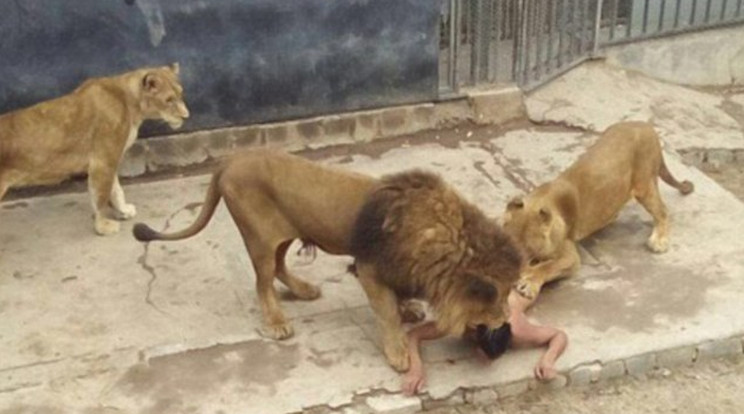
{"x":242,"y":61}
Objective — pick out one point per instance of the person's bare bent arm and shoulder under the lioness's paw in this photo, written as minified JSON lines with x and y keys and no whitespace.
{"x":526,"y":334}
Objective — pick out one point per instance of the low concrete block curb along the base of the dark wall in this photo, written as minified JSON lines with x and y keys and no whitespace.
{"x":160,"y":154}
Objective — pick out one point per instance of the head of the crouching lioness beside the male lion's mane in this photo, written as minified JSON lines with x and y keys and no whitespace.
{"x":537,"y":226}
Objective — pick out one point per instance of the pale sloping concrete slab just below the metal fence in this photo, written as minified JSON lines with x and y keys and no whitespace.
{"x":596,"y":95}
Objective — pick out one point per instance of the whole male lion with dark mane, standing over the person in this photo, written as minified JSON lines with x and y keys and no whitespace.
{"x":275,"y":198}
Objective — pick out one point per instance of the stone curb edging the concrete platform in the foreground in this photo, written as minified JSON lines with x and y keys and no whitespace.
{"x":381,"y":401}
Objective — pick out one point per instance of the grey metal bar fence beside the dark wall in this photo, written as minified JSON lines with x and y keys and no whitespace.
{"x":532,"y":41}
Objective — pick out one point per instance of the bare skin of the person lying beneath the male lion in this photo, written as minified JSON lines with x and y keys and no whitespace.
{"x":524,"y":335}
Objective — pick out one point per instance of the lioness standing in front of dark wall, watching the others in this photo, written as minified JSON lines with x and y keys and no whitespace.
{"x":88,"y":130}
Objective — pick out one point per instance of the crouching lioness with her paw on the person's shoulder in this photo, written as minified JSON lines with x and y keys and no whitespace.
{"x":623,"y":164}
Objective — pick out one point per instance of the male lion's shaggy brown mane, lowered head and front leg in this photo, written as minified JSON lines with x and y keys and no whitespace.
{"x":416,"y":237}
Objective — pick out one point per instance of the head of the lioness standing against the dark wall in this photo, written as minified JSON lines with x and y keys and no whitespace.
{"x":162,"y":96}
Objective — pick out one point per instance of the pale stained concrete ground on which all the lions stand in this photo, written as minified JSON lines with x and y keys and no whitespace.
{"x":108,"y":325}
